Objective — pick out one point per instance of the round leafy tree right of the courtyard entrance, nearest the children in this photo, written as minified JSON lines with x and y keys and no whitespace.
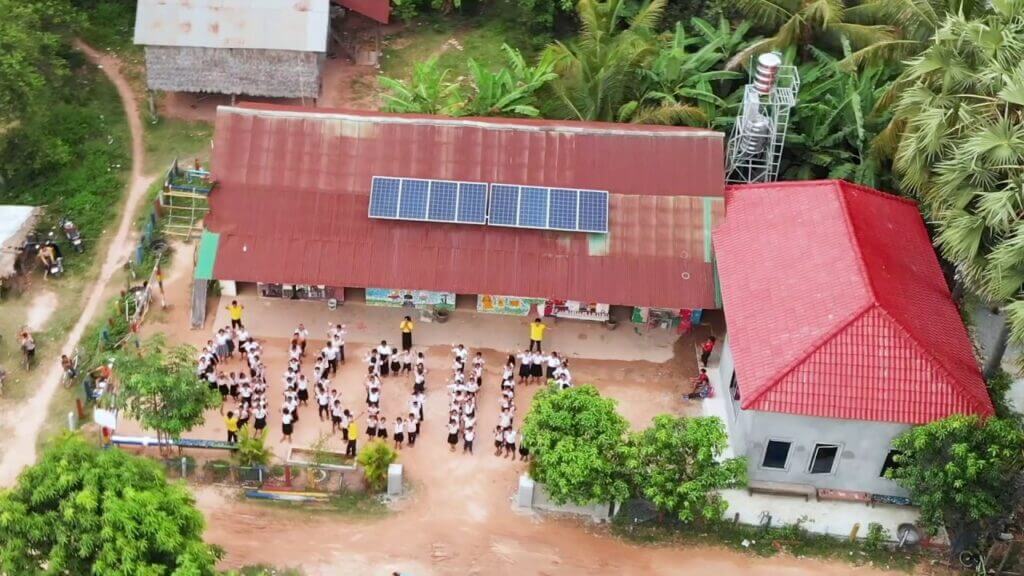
{"x":576,"y":439}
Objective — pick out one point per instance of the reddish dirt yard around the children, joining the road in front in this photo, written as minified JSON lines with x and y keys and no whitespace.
{"x":458,"y":516}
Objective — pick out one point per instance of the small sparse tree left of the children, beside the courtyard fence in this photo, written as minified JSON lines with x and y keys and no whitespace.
{"x":158,"y":387}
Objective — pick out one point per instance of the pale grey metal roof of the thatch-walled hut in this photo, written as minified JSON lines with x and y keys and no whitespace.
{"x":270,"y":25}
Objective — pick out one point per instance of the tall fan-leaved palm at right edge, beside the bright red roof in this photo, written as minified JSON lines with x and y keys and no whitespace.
{"x":961,"y":150}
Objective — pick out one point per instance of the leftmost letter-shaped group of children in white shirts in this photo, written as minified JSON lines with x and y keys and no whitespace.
{"x":246,"y":388}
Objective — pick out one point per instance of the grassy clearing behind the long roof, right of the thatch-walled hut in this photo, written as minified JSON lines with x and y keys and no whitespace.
{"x":480,"y":36}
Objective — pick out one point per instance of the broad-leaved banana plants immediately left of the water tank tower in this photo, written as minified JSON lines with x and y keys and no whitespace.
{"x":682,"y":86}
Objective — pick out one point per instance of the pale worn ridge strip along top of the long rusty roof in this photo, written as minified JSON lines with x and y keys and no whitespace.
{"x":526,"y":125}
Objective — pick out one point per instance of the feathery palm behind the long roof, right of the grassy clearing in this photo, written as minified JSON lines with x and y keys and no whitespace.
{"x":598,"y":73}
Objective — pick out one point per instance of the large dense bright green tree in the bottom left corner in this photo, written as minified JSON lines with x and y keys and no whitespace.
{"x":86,"y":511}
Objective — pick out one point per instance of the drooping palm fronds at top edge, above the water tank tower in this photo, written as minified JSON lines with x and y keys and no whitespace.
{"x":809,"y":23}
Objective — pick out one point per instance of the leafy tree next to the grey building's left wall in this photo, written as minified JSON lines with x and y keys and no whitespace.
{"x":677,"y":465}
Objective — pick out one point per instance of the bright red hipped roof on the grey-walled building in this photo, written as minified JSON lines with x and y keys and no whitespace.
{"x":836,"y":307}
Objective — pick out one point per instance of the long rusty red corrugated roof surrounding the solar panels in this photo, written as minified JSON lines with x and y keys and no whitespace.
{"x":294,"y":186}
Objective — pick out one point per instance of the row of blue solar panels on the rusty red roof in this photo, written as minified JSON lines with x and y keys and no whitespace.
{"x":510,"y":205}
